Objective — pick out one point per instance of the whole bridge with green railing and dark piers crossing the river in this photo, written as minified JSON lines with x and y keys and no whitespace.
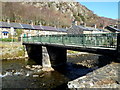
{"x":57,"y":45}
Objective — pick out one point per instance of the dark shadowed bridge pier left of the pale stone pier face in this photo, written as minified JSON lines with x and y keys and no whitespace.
{"x":35,"y":53}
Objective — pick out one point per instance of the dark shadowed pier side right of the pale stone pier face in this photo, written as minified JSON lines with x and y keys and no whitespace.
{"x":58,"y":56}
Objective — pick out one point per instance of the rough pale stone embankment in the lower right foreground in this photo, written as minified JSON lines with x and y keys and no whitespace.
{"x":104,"y":77}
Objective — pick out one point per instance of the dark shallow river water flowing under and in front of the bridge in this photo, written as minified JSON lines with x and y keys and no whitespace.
{"x":27,"y":74}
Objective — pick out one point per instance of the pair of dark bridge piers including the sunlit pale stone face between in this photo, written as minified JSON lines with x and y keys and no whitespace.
{"x":56,"y":56}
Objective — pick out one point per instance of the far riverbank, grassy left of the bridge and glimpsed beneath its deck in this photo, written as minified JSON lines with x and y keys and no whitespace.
{"x":15,"y":50}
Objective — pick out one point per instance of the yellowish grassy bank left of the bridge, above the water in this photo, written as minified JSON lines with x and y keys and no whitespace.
{"x":11,"y":50}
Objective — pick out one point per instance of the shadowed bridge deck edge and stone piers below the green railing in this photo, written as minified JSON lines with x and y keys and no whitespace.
{"x":57,"y":54}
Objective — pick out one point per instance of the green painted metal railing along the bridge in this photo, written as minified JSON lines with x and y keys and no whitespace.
{"x":108,"y":40}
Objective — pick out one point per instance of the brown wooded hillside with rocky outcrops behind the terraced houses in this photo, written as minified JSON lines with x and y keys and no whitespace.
{"x":52,"y":14}
